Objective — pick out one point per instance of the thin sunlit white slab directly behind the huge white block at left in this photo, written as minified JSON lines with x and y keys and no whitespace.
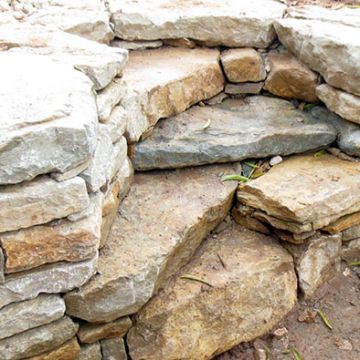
{"x":99,"y":62}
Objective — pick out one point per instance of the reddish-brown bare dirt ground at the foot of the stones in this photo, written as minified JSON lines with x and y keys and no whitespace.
{"x":340,"y":302}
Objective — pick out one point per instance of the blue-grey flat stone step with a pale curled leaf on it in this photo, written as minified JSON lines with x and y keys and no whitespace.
{"x":233,"y":130}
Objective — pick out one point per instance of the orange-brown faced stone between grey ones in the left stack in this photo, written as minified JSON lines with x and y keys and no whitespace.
{"x":63,"y":240}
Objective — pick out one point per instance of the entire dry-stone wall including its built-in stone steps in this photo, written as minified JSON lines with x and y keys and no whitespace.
{"x":85,"y":88}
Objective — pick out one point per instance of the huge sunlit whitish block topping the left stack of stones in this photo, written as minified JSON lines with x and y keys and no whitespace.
{"x":56,"y":119}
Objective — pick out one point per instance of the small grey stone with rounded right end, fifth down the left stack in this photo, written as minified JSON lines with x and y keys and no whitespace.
{"x":22,"y":316}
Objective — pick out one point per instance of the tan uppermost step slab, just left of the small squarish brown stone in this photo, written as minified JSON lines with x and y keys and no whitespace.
{"x":153,"y":88}
